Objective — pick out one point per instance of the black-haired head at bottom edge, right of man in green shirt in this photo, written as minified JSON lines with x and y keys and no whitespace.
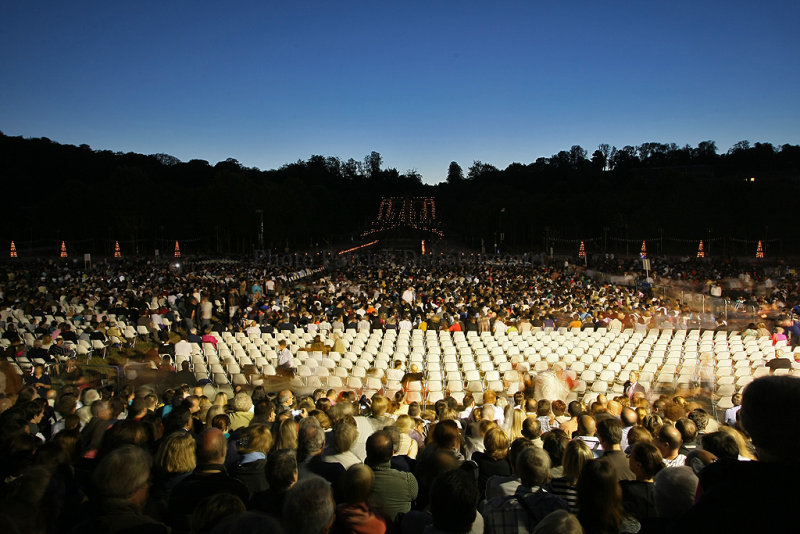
{"x":454,"y":499}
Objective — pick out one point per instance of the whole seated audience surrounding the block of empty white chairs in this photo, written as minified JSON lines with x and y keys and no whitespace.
{"x":185,"y":457}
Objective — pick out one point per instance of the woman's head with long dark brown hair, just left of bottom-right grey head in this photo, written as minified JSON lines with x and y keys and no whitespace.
{"x":600,"y":496}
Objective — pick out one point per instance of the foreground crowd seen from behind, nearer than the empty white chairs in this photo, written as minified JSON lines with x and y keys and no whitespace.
{"x":133,"y":461}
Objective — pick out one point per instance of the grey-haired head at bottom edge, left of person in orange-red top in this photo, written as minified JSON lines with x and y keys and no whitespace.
{"x":309,"y":507}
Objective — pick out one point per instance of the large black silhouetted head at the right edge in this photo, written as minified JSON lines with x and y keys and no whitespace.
{"x":774,"y":439}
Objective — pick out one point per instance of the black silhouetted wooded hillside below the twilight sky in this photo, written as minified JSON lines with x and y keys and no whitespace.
{"x":611,"y":198}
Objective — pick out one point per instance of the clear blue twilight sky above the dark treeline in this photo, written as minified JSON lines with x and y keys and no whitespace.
{"x":423,"y":83}
